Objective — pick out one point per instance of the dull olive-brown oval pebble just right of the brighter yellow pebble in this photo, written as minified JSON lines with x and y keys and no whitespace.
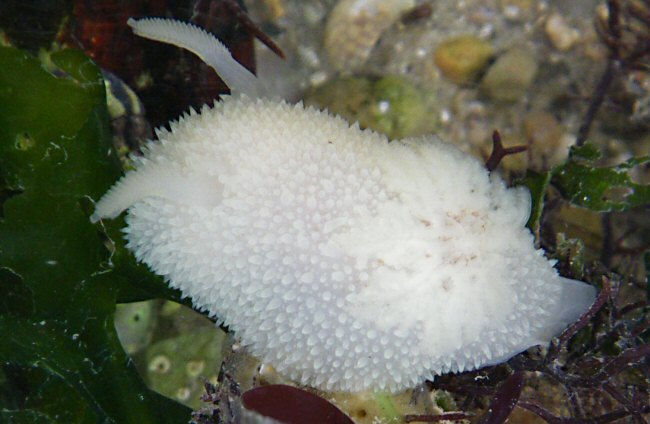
{"x":510,"y":76}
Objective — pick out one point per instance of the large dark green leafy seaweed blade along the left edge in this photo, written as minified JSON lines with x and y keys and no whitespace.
{"x":60,"y":276}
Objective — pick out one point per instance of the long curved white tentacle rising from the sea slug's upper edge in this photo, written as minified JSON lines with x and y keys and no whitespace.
{"x":204,"y":45}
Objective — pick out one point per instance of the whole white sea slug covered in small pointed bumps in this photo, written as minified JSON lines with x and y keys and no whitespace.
{"x":346,"y":261}
